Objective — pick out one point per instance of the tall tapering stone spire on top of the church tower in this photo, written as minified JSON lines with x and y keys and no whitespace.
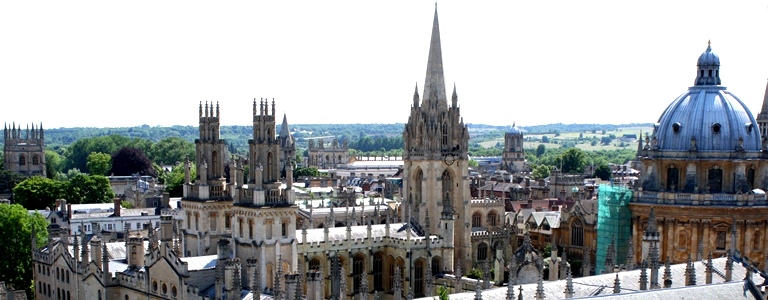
{"x":434,"y":84}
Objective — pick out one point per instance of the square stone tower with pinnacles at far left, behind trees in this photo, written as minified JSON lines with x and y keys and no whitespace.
{"x":24,"y":150}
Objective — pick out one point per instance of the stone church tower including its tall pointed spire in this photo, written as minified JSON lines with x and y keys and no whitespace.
{"x":435,"y":158}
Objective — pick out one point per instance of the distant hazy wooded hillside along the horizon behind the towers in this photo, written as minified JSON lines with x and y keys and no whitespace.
{"x":237,"y":136}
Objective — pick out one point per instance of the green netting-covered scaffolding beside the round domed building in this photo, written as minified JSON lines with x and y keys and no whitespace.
{"x":614,"y":224}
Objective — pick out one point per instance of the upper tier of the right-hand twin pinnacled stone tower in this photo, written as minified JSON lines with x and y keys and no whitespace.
{"x":264,"y":148}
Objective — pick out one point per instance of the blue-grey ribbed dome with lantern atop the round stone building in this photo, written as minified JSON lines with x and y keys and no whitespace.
{"x":707,"y":117}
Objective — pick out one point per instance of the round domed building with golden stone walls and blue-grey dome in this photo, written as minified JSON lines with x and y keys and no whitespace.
{"x":705,"y":169}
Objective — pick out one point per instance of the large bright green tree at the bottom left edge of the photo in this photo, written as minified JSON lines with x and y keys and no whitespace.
{"x":16,"y":225}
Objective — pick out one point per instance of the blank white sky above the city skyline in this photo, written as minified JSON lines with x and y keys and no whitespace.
{"x":130,"y":63}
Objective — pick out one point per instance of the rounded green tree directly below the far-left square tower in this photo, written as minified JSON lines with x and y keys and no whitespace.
{"x":38,"y":192}
